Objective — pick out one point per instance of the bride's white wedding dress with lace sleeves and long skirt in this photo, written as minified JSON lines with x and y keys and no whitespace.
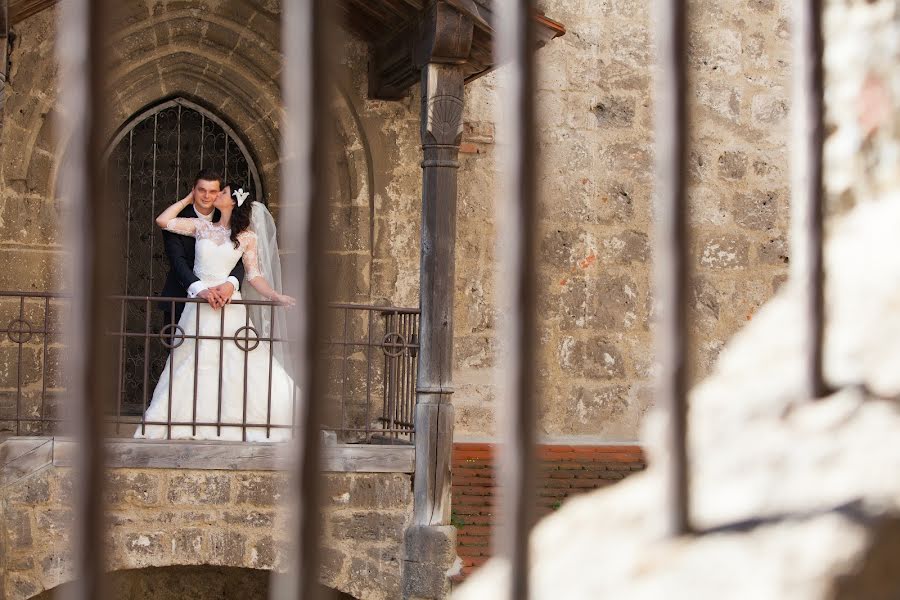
{"x":229,"y":398}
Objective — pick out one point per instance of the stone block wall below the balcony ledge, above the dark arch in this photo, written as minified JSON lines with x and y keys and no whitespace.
{"x":166,"y":517}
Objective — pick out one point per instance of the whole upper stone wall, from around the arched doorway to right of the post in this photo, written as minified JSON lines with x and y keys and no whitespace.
{"x":595,"y":142}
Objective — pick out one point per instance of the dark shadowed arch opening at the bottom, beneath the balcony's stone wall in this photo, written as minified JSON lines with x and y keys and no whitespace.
{"x":189,"y":583}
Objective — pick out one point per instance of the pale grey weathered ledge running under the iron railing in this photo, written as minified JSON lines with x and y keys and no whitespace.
{"x":20,"y":456}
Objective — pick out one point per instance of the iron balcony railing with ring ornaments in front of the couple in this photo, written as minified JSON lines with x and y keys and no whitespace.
{"x":369,"y":355}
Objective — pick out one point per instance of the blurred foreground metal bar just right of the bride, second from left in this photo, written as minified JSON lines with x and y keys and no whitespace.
{"x":308,"y":34}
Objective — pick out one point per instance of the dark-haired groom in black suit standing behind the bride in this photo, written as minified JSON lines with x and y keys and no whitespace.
{"x":181,"y":281}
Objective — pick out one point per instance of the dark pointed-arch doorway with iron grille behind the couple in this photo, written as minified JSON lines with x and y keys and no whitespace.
{"x":152,"y":161}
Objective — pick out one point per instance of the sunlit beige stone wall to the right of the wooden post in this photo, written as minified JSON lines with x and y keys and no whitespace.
{"x":595,"y":132}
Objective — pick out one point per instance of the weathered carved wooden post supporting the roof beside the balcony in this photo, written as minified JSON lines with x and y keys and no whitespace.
{"x":442,"y":108}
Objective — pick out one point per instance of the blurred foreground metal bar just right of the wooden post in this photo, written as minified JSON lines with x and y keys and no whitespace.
{"x":517,"y":243}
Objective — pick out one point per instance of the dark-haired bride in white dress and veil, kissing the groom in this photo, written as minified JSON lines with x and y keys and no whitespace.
{"x":236,"y":390}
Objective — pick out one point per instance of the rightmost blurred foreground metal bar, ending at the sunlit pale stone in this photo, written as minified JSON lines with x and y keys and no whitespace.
{"x":807,"y":200}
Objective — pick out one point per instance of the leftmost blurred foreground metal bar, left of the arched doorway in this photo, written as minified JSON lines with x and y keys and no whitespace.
{"x":80,"y":50}
